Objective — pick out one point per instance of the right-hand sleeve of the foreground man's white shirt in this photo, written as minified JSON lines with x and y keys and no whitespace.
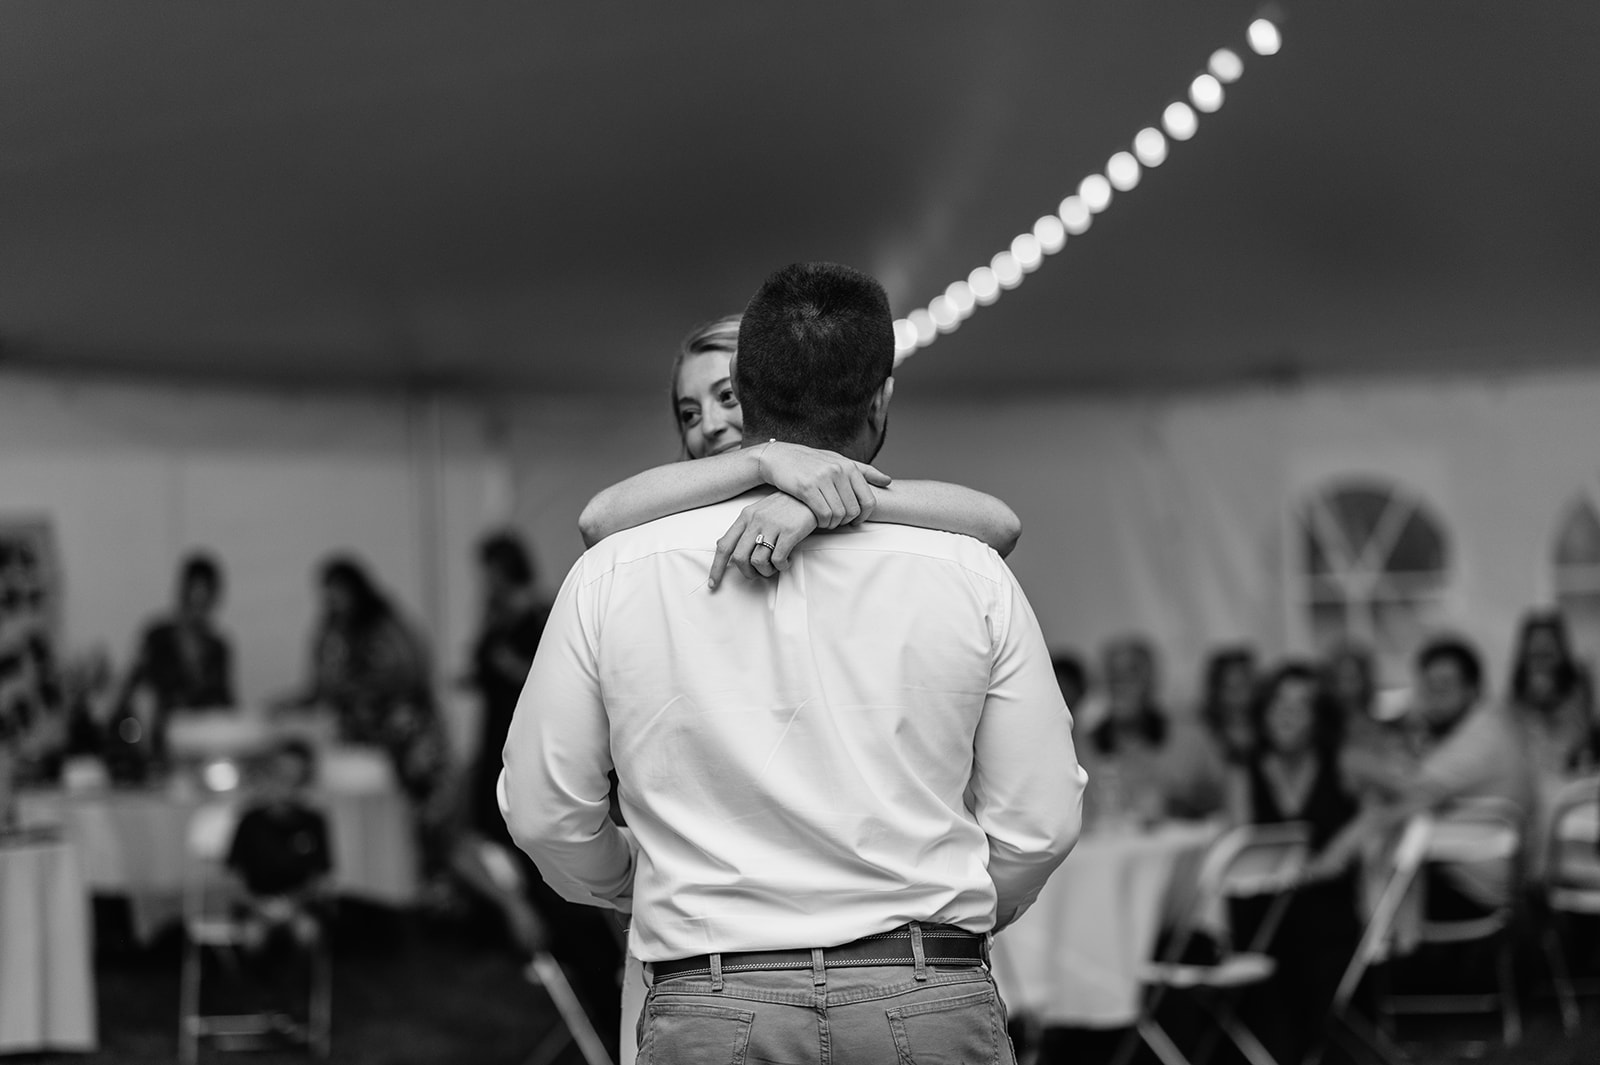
{"x":1028,"y":784}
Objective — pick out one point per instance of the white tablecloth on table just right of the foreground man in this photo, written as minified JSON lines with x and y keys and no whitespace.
{"x":1074,"y":959}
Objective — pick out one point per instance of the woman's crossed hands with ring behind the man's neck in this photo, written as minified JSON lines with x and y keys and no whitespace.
{"x":817,"y":490}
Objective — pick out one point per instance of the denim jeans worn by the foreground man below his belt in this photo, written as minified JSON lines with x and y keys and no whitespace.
{"x":847,"y":1016}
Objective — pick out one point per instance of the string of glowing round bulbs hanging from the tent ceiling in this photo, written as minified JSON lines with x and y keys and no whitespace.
{"x":1078,"y":212}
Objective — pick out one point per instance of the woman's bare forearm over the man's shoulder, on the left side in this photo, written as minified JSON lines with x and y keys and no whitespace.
{"x":670,"y":490}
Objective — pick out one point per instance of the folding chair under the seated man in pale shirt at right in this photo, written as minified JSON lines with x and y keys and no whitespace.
{"x":1473,"y":832}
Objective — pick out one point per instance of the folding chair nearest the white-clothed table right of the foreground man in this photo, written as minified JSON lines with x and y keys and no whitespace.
{"x":1252,"y":861}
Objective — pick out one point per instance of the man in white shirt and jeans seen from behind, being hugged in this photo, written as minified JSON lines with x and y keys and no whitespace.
{"x":841,"y":781}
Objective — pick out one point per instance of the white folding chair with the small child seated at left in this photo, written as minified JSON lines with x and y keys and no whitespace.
{"x":212,"y":927}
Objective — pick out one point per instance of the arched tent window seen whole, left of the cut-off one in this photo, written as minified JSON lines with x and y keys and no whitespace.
{"x":1375,"y":565}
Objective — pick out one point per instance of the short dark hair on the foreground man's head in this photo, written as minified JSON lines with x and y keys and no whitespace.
{"x":817,"y":343}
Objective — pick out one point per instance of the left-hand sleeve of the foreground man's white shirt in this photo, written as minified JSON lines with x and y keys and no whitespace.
{"x":554,"y":789}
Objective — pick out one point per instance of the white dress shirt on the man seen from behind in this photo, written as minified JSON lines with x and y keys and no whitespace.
{"x":873,"y":738}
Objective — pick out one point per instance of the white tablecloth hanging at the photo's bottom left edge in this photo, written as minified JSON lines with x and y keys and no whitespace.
{"x":47,"y":986}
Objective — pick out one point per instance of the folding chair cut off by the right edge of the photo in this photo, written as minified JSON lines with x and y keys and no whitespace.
{"x":1572,"y":882}
